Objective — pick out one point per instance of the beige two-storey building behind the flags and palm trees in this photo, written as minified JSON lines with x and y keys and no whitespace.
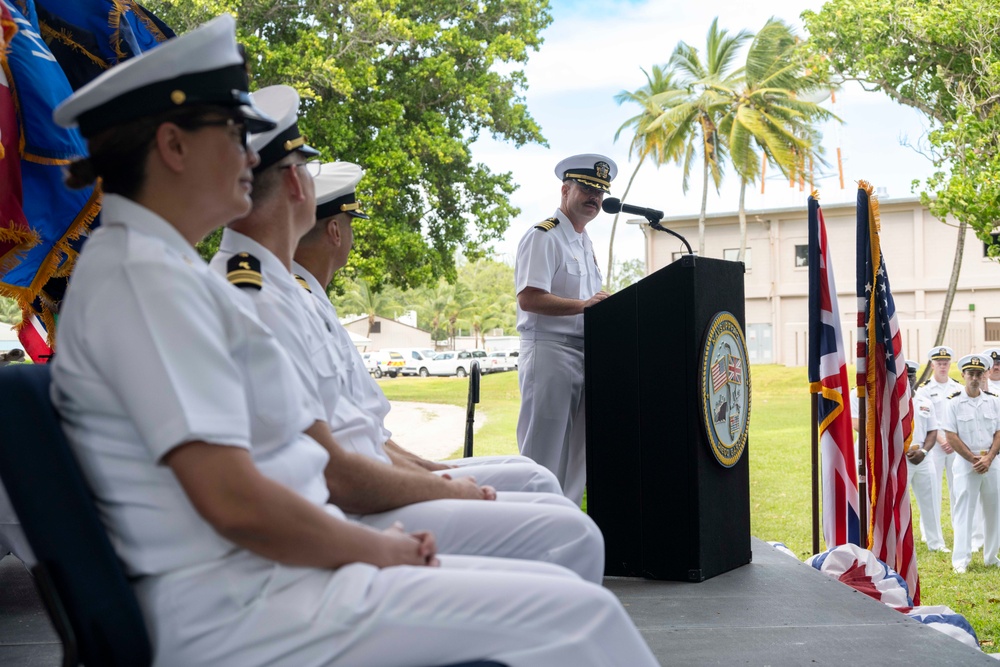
{"x":918,"y":249}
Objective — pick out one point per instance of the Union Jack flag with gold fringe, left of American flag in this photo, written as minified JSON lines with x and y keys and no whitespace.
{"x":828,"y":378}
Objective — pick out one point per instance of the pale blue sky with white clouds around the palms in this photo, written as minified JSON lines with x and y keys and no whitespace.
{"x":594,"y":50}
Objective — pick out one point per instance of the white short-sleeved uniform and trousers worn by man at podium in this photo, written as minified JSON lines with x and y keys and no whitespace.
{"x":551,"y":427}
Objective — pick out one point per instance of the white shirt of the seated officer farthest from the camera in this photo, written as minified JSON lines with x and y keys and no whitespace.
{"x":357,"y":419}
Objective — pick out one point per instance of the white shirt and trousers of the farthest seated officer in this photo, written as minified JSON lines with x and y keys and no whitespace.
{"x":504,"y":473}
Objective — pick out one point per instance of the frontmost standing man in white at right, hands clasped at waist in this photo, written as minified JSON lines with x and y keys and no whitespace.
{"x":972,"y":424}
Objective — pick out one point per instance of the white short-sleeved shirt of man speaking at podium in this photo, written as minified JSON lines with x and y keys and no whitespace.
{"x":559,"y":261}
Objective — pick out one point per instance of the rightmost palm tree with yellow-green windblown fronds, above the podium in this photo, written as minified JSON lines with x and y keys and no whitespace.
{"x":766,"y":113}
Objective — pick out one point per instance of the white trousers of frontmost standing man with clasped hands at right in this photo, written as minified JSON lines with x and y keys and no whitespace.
{"x":970,"y":486}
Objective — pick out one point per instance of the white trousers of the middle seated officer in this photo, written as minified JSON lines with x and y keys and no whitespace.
{"x":543,"y":527}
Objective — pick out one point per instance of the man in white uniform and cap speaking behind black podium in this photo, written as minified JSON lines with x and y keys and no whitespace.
{"x":557,"y":277}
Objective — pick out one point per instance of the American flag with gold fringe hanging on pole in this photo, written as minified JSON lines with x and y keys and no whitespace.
{"x":889,"y":415}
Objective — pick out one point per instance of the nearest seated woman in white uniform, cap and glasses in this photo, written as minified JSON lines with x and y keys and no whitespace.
{"x":196,"y":435}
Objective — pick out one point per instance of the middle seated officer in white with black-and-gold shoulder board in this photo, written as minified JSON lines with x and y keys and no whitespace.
{"x":459,"y":512}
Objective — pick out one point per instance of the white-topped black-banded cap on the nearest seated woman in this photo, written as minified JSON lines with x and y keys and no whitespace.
{"x":201,"y":68}
